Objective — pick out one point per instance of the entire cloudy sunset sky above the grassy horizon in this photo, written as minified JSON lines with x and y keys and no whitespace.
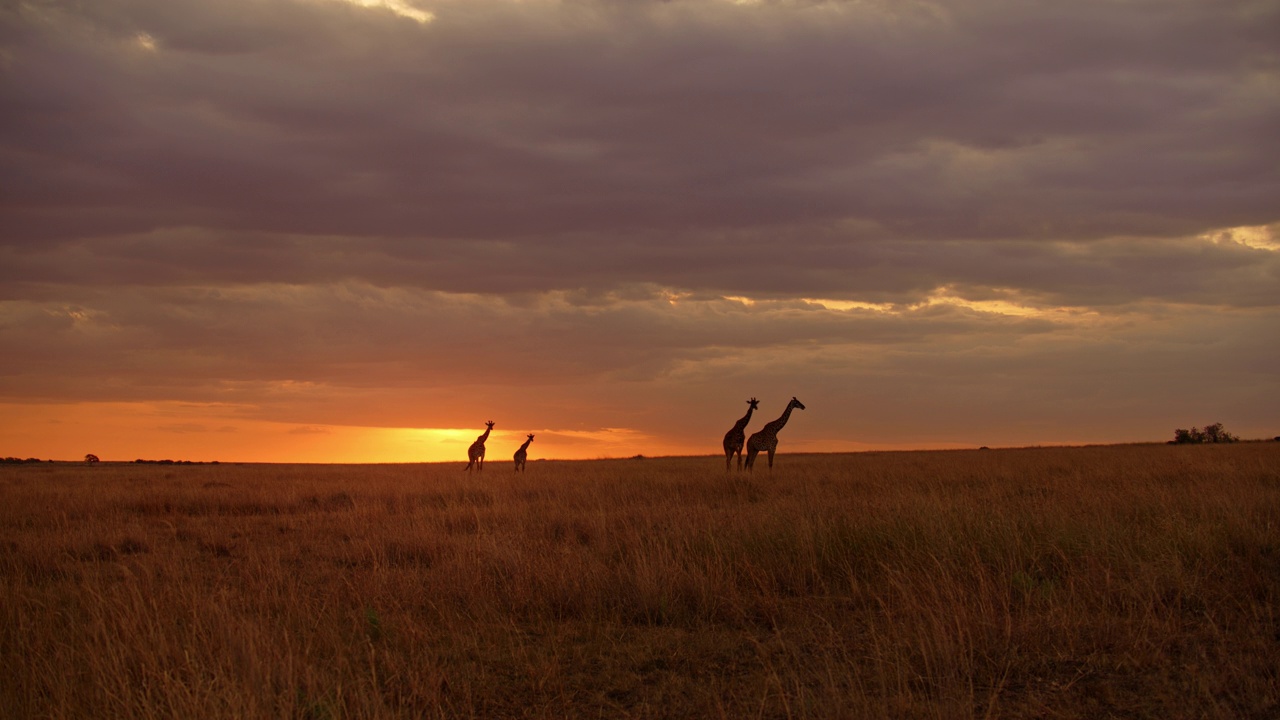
{"x":354,"y":231}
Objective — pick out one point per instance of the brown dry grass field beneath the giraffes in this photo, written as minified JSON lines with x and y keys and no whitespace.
{"x":1090,"y":582}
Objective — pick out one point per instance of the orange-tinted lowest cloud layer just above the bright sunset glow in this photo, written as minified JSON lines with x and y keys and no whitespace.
{"x":312,"y":353}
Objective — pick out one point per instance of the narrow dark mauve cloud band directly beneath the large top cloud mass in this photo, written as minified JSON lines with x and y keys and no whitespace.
{"x":826,"y":262}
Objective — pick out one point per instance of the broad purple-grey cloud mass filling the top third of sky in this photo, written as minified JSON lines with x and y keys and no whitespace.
{"x":989,"y":121}
